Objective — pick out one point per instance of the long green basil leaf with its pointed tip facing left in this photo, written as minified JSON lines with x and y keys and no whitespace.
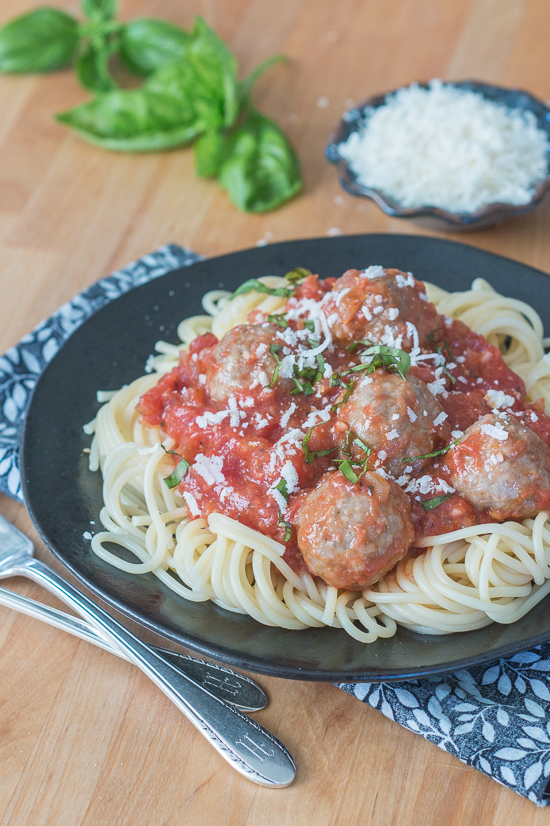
{"x":137,"y":120}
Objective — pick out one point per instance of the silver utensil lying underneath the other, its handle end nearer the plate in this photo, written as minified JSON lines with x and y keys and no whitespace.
{"x":223,"y":682}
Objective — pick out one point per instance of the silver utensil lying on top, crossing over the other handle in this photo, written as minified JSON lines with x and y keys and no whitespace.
{"x":248,"y":747}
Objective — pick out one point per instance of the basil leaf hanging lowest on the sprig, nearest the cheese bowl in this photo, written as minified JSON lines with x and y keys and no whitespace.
{"x":262,"y":170}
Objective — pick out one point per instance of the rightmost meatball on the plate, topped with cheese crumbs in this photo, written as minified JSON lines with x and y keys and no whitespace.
{"x":502,"y":467}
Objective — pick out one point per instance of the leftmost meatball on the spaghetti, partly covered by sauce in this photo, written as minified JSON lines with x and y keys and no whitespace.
{"x":242,"y":360}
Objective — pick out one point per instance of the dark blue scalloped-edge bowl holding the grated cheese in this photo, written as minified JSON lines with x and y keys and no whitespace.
{"x":431,"y":216}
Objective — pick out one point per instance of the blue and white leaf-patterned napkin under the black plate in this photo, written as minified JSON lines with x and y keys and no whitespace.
{"x":495,"y":717}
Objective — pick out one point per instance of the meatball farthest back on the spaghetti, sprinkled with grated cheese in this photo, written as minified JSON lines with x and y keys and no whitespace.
{"x":382,"y":306}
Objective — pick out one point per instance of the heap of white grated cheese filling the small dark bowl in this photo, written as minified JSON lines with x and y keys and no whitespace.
{"x":448,"y":148}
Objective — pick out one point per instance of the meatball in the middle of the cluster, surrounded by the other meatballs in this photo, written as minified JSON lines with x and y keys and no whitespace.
{"x":396,"y":418}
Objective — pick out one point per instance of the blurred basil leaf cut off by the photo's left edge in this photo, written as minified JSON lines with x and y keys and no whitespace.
{"x":41,"y":41}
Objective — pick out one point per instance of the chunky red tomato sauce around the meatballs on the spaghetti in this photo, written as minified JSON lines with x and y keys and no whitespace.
{"x":261,"y":429}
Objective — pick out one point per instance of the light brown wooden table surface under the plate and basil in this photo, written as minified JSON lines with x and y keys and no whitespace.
{"x":84,"y":737}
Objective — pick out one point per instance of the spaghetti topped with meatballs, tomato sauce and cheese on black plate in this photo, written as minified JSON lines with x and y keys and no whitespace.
{"x":344,"y":452}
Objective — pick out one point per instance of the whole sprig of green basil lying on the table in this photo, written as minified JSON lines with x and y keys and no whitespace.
{"x":191,"y":93}
